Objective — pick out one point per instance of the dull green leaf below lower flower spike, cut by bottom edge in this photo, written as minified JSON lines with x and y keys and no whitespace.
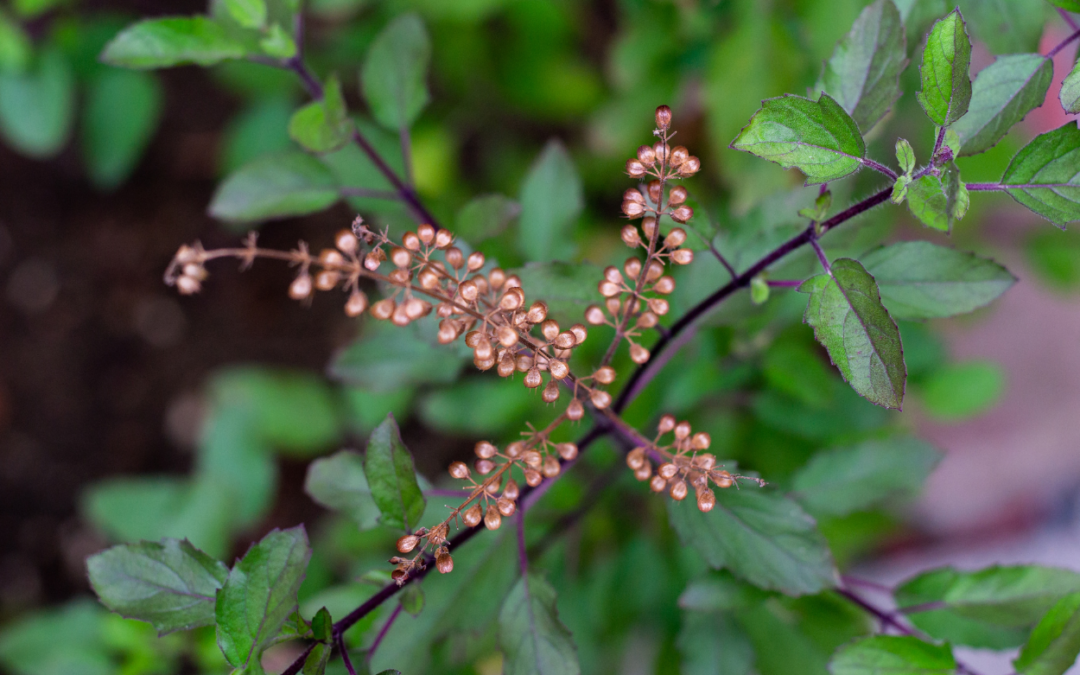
{"x":534,"y":641}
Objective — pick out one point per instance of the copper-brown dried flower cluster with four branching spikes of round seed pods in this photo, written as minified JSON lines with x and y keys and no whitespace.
{"x":426,"y":273}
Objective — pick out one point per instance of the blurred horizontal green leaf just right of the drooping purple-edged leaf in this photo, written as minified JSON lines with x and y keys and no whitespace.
{"x":921,"y":280}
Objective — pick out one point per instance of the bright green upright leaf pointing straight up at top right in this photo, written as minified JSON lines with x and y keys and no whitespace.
{"x":947,"y":87}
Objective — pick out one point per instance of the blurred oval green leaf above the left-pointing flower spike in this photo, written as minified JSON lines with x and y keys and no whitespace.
{"x":279,"y":186}
